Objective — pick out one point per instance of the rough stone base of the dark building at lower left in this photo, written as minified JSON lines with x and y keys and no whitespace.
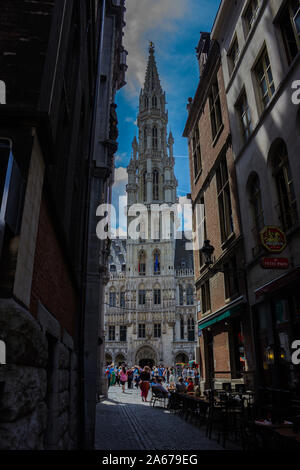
{"x":38,"y":383}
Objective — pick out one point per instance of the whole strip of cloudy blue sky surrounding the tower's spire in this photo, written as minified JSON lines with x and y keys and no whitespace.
{"x":174,"y":26}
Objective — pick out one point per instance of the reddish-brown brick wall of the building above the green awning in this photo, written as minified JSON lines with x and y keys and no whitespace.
{"x":218,"y":360}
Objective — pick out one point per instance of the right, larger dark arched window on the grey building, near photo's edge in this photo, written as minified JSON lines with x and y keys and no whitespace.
{"x":284,"y":184}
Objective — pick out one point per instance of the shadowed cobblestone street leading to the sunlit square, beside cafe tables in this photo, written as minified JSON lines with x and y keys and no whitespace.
{"x":124,"y":422}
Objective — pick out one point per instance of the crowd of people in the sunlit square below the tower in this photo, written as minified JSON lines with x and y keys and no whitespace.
{"x":183,"y":378}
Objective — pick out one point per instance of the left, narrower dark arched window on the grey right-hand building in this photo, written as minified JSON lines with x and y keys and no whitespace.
{"x":256,"y":207}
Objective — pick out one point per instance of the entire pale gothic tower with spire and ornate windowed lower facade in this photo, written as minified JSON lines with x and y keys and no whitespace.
{"x":150,"y":313}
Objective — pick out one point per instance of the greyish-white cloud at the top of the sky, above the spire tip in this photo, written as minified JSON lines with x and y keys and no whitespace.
{"x":146,"y":23}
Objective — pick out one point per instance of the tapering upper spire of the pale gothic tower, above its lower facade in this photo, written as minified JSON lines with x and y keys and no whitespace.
{"x":155,"y":179}
